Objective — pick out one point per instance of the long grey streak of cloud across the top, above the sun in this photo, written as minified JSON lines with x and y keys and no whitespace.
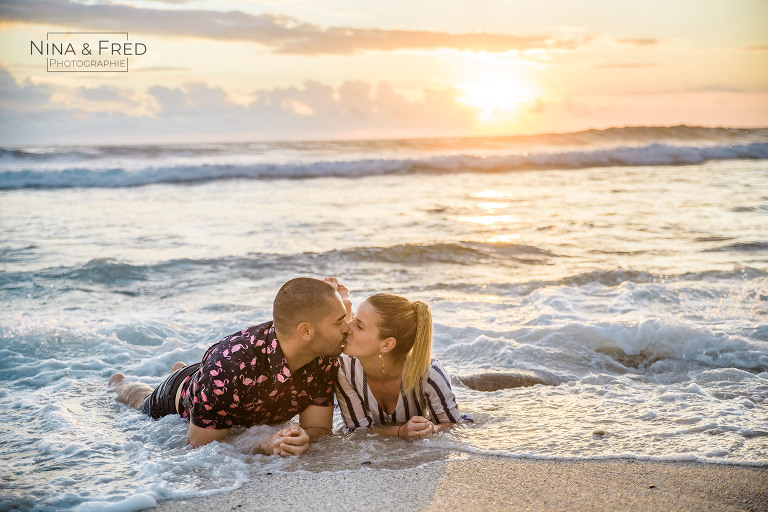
{"x":284,"y":34}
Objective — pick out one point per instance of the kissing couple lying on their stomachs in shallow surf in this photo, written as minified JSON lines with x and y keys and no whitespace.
{"x":377,"y":362}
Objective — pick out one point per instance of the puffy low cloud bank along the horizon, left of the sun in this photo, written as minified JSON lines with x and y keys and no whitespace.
{"x":31,"y":114}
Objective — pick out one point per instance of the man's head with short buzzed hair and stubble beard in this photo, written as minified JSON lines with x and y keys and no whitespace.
{"x":314,"y":311}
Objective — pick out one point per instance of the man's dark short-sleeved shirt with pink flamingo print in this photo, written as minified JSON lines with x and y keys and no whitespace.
{"x":244,"y":380}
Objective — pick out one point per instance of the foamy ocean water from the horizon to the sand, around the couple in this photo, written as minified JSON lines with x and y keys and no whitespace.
{"x":625,"y":269}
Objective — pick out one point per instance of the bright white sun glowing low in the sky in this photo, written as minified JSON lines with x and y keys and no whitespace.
{"x":496,"y":98}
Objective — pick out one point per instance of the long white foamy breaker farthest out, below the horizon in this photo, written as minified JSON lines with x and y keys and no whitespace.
{"x":650,"y":155}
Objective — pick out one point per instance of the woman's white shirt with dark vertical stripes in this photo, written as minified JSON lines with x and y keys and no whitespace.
{"x":432,"y":398}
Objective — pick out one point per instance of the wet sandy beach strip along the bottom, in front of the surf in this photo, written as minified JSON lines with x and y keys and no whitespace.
{"x":487,"y":483}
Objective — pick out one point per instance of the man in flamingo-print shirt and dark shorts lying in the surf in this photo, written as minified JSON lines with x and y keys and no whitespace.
{"x":265,"y":374}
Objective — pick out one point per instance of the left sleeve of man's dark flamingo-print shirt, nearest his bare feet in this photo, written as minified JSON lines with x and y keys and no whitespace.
{"x":215,"y":396}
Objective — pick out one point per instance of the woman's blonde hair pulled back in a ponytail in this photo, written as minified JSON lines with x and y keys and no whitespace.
{"x":410,"y":323}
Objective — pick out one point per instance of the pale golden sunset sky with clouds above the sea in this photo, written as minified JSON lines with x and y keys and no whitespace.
{"x":241,"y":70}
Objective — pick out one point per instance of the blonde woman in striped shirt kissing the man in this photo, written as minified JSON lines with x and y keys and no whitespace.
{"x":388,"y":379}
